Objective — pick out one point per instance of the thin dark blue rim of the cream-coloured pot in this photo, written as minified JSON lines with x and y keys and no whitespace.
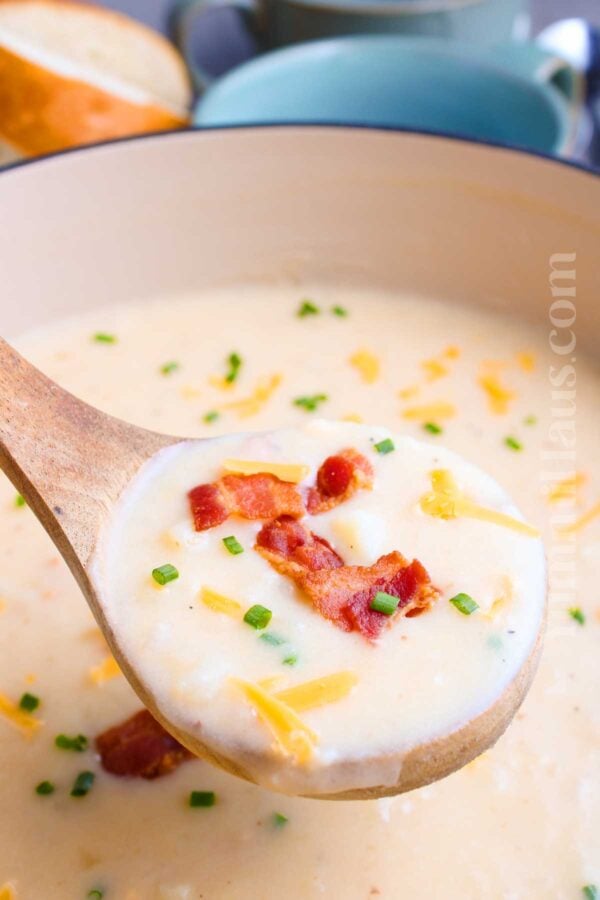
{"x":199,"y":133}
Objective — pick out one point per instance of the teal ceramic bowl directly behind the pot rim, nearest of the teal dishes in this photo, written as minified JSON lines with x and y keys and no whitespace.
{"x":515,"y":95}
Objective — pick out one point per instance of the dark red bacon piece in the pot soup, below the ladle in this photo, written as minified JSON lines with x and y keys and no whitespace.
{"x":140,"y":747}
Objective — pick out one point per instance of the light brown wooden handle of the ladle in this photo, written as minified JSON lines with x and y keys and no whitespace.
{"x":69,"y":460}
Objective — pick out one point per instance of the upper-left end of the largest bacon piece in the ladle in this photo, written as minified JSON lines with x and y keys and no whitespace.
{"x":294,"y":550}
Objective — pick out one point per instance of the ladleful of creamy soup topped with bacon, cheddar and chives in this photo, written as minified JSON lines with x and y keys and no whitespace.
{"x":303,"y":604}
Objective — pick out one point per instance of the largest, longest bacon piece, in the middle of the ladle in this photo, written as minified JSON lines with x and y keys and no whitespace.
{"x":343,"y":593}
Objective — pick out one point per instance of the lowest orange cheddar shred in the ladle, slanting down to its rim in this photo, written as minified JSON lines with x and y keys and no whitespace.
{"x":292,"y":736}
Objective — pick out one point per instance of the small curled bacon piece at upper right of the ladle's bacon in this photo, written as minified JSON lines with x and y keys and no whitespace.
{"x":338,"y":479}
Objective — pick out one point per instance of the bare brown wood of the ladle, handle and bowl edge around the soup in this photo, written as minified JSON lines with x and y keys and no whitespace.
{"x":71,"y":462}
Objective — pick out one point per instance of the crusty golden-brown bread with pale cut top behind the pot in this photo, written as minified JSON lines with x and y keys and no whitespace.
{"x":74,"y":74}
